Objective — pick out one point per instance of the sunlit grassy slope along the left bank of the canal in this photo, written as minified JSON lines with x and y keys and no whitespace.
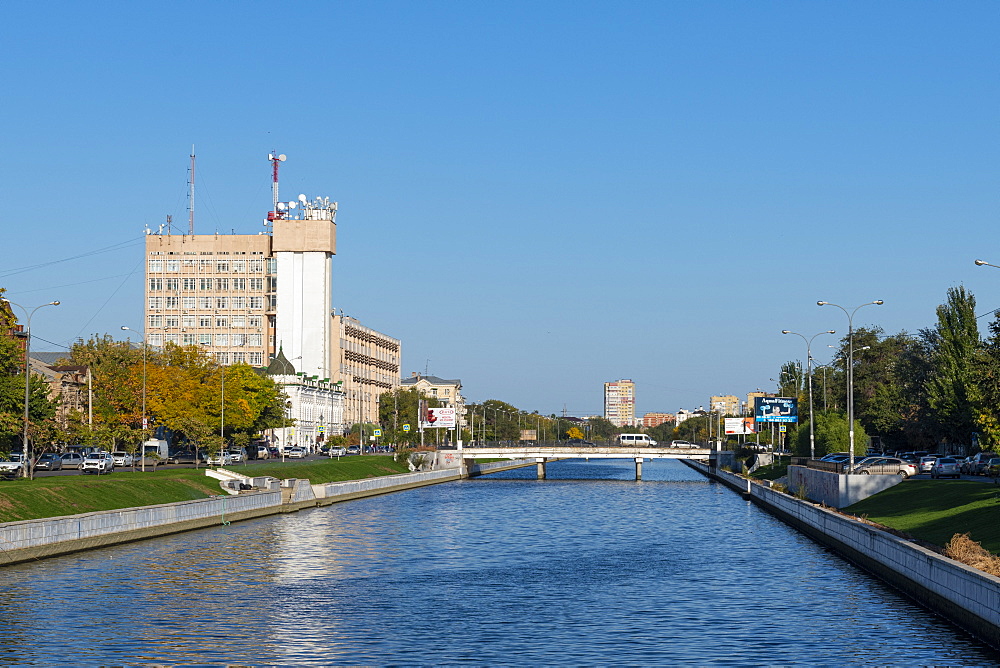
{"x":53,"y":496}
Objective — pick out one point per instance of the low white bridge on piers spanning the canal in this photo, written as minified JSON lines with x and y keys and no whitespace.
{"x":542,"y":453}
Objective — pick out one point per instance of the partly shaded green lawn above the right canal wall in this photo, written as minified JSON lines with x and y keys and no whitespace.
{"x":935,"y":510}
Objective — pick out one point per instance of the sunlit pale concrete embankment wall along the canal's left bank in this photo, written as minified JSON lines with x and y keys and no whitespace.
{"x":35,"y":539}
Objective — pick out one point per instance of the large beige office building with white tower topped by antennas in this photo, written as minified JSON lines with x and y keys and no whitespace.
{"x":244,"y":297}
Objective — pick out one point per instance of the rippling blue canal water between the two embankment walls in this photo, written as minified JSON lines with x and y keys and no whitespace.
{"x":587,"y":567}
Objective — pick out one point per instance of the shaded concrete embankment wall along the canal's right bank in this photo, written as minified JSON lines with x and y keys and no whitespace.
{"x":968,"y":597}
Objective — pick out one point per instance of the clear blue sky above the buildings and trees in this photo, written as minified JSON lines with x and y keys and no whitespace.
{"x":535,"y":197}
